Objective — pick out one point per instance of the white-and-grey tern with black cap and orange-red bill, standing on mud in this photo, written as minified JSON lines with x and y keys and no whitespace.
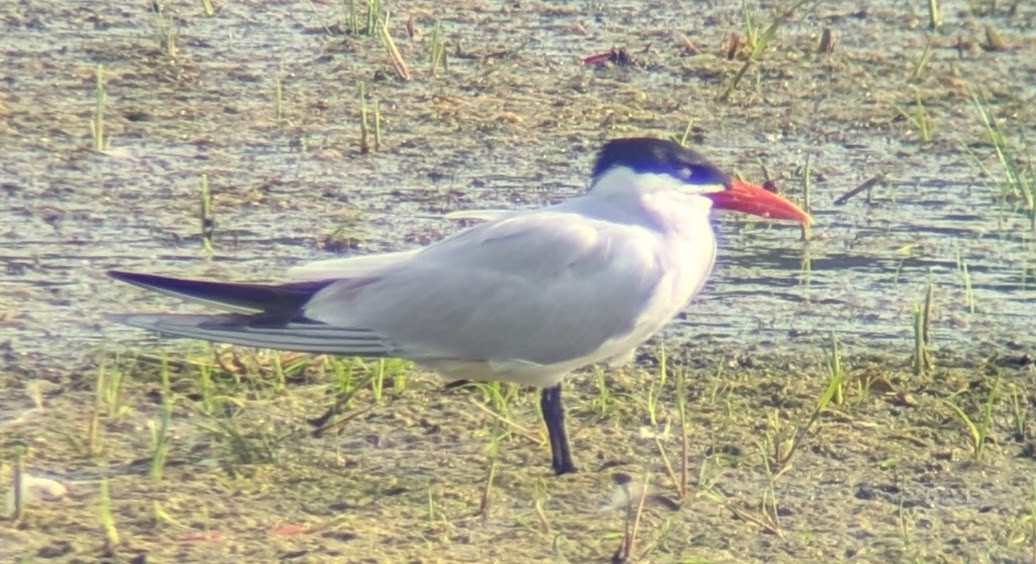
{"x":523,"y":297}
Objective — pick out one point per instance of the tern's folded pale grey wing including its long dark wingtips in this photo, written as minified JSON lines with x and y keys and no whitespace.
{"x":539,"y":289}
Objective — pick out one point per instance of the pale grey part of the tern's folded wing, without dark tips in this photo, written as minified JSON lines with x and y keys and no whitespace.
{"x":542,"y":288}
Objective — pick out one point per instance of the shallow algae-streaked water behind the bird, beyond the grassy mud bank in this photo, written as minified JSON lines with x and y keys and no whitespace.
{"x":74,"y":214}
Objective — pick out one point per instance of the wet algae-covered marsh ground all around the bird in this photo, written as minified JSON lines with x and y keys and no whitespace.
{"x":510,"y":122}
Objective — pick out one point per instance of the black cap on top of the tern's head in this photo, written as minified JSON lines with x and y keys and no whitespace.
{"x":658,"y":156}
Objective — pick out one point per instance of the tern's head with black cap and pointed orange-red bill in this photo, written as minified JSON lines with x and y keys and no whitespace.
{"x":685,"y":170}
